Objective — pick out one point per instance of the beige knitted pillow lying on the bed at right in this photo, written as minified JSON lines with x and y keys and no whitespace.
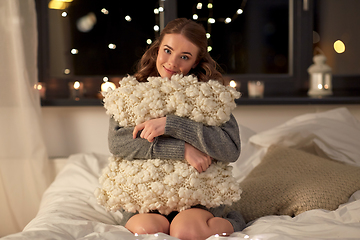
{"x":290,"y":181}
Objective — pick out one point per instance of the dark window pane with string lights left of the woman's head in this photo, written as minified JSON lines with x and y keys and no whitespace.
{"x":91,"y":40}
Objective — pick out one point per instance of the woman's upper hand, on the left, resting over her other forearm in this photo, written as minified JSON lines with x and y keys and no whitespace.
{"x":150,"y":129}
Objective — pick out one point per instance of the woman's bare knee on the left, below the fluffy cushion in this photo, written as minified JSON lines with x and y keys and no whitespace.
{"x":148,"y":224}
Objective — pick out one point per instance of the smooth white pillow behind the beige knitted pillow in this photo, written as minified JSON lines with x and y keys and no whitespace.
{"x":334,"y":134}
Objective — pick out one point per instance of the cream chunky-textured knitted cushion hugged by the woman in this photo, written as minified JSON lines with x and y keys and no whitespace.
{"x":167,"y":185}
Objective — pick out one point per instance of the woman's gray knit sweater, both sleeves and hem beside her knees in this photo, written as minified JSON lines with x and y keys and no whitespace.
{"x":222,"y":143}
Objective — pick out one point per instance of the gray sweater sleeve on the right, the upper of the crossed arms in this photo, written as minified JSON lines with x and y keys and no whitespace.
{"x":220,"y":142}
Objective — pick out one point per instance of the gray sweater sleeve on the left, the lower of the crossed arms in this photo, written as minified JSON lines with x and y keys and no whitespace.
{"x":122,"y":144}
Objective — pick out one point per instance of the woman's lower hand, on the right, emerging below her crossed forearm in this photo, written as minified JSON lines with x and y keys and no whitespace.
{"x":199,"y":160}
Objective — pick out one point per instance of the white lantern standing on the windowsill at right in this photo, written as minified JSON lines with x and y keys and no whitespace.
{"x":320,"y":77}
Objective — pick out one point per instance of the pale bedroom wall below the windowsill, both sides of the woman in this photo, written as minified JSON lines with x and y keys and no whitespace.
{"x":70,"y":130}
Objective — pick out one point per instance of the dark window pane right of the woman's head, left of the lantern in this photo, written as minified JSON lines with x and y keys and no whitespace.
{"x":258,"y":43}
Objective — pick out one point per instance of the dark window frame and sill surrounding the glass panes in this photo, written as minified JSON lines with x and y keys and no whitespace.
{"x":285,"y":88}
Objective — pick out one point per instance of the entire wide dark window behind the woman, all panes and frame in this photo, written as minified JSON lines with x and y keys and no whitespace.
{"x":273,"y":41}
